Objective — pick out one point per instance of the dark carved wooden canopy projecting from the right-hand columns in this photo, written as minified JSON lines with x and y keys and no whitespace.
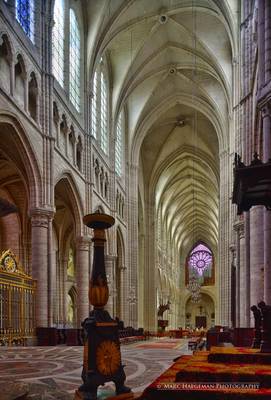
{"x":252,"y":184}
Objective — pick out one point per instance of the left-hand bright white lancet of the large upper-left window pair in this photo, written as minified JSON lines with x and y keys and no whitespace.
{"x":58,"y":42}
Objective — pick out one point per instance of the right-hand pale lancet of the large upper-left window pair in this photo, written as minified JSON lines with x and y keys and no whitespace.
{"x":74,"y":61}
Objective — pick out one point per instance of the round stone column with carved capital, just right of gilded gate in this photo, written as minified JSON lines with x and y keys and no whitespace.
{"x":39,"y":238}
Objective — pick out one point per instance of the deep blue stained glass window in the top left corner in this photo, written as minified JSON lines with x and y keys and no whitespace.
{"x":25,"y":16}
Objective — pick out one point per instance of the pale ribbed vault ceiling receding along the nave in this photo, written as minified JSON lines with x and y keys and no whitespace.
{"x":171,"y":68}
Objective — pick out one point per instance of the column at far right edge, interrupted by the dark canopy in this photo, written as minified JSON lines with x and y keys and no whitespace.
{"x":266,"y":114}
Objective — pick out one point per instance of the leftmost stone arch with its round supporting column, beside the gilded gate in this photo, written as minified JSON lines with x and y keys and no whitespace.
{"x":25,"y":232}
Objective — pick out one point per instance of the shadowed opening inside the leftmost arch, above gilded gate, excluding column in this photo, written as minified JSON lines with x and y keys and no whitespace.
{"x":19,"y":181}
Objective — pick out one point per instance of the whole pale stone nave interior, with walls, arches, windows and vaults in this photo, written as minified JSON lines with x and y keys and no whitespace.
{"x":136,"y":111}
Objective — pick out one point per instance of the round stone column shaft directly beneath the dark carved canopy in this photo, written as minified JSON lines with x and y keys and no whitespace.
{"x":256,"y":256}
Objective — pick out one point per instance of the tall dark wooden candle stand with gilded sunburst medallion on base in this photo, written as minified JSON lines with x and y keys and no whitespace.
{"x":102,"y":357}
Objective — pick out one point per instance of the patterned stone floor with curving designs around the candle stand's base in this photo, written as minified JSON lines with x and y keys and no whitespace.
{"x":55,"y":372}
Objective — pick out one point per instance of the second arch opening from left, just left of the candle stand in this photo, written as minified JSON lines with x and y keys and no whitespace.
{"x":67,"y":226}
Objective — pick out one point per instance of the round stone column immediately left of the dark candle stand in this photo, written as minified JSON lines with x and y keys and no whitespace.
{"x":82,"y":277}
